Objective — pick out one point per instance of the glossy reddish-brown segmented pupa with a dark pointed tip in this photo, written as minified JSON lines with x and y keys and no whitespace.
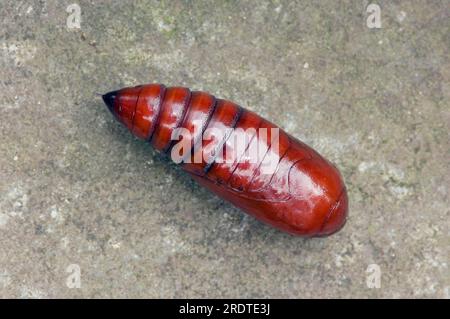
{"x":303,"y":195}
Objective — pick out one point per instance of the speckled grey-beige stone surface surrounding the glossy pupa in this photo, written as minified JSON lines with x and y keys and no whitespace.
{"x":77,"y":189}
